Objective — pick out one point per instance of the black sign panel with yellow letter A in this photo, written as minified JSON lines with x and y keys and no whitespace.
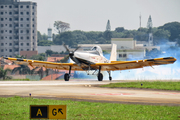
{"x":38,"y":112}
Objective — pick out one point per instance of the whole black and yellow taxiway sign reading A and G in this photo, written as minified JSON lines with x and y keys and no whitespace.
{"x":48,"y":111}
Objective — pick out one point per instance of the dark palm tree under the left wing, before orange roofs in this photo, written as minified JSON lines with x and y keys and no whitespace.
{"x":23,"y":69}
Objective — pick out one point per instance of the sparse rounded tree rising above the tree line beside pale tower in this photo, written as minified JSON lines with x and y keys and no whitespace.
{"x":61,"y":26}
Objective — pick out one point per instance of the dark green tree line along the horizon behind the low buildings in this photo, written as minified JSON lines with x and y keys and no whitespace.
{"x":161,"y":35}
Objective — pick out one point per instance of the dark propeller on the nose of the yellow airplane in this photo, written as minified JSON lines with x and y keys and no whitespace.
{"x":71,"y":54}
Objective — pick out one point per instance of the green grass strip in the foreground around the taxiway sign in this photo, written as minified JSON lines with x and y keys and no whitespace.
{"x":17,"y":108}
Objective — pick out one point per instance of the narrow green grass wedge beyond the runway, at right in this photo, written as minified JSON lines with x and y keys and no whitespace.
{"x":170,"y":85}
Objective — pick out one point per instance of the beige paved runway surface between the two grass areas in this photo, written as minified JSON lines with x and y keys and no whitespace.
{"x":88,"y":91}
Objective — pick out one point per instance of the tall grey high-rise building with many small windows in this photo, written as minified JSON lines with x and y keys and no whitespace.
{"x":18,"y":27}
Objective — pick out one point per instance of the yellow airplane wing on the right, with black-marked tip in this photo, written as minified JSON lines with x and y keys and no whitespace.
{"x":124,"y":65}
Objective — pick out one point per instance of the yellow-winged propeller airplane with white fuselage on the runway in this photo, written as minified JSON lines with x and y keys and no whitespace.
{"x":94,"y":60}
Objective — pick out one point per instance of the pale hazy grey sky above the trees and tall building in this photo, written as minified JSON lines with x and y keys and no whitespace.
{"x":92,"y":15}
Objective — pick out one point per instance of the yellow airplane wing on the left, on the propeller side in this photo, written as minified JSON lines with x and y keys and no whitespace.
{"x":52,"y":65}
